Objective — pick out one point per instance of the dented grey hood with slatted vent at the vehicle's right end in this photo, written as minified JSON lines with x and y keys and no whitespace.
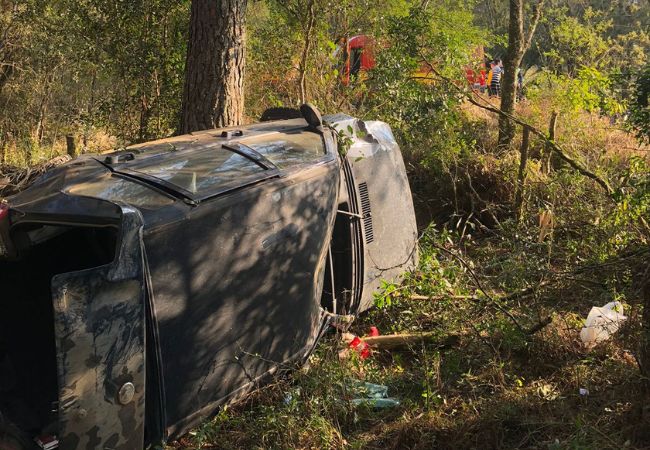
{"x":381,"y":183}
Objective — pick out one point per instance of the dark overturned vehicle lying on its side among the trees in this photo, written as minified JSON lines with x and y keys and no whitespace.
{"x":143,"y":289}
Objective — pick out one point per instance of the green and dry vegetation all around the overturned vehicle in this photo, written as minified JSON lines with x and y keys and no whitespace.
{"x":511,"y":260}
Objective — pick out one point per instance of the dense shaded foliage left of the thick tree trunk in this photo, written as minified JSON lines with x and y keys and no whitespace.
{"x":92,"y":69}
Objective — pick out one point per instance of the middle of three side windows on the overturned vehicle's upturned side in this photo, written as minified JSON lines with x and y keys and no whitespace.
{"x":202,"y":170}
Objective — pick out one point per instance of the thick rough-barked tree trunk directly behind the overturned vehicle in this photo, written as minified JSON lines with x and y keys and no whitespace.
{"x":214,"y":73}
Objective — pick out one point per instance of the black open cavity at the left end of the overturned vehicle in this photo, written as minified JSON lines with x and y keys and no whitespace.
{"x":28,"y":354}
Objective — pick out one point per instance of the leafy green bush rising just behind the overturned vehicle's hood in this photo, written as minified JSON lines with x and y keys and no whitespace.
{"x":405,"y":93}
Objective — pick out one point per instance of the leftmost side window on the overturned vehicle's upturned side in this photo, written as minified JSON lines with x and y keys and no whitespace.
{"x":117,"y":189}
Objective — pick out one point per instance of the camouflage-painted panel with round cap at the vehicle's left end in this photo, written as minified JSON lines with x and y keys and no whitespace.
{"x":100,"y":337}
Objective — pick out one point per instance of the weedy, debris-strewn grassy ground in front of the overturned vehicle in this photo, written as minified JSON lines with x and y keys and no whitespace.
{"x":495,"y":387}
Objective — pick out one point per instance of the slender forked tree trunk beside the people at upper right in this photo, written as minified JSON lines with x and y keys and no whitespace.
{"x":518,"y":43}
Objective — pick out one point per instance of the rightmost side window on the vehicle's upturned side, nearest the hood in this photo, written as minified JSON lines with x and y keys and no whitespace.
{"x":288,"y":149}
